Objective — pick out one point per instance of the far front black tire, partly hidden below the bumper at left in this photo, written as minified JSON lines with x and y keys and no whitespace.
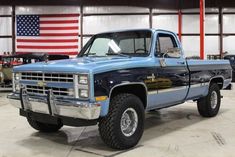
{"x":43,"y":127}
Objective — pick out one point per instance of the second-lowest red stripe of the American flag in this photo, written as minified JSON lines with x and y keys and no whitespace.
{"x":46,"y":47}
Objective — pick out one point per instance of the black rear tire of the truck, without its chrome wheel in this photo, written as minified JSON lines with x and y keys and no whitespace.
{"x":204,"y":104}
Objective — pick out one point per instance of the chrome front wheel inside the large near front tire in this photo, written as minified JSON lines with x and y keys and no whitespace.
{"x":129,"y":122}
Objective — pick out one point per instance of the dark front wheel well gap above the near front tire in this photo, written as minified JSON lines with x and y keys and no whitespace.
{"x":136,"y":89}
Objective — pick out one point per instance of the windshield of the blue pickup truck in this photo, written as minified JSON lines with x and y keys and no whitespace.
{"x":132,"y":43}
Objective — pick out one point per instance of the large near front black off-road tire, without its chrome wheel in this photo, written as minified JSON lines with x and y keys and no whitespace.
{"x":110,"y":126}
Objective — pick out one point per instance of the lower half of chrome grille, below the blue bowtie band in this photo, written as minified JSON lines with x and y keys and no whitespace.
{"x":43,"y":90}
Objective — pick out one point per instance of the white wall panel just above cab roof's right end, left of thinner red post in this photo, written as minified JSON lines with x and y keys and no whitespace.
{"x":167,"y":22}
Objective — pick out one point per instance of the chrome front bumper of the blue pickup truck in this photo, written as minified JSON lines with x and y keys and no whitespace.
{"x":53,"y":106}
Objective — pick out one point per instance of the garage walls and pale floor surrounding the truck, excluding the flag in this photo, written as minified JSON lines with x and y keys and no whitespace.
{"x":176,"y":131}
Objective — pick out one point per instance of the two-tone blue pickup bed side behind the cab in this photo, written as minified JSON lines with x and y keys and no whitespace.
{"x":202,"y":72}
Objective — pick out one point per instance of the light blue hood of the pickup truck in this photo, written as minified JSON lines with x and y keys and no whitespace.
{"x":87,"y":64}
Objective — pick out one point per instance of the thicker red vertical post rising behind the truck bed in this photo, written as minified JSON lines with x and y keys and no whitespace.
{"x":202,"y":31}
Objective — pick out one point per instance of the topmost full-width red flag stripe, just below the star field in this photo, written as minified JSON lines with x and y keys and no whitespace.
{"x":47,"y":41}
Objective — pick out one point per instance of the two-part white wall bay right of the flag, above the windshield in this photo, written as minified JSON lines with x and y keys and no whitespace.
{"x":96,"y":24}
